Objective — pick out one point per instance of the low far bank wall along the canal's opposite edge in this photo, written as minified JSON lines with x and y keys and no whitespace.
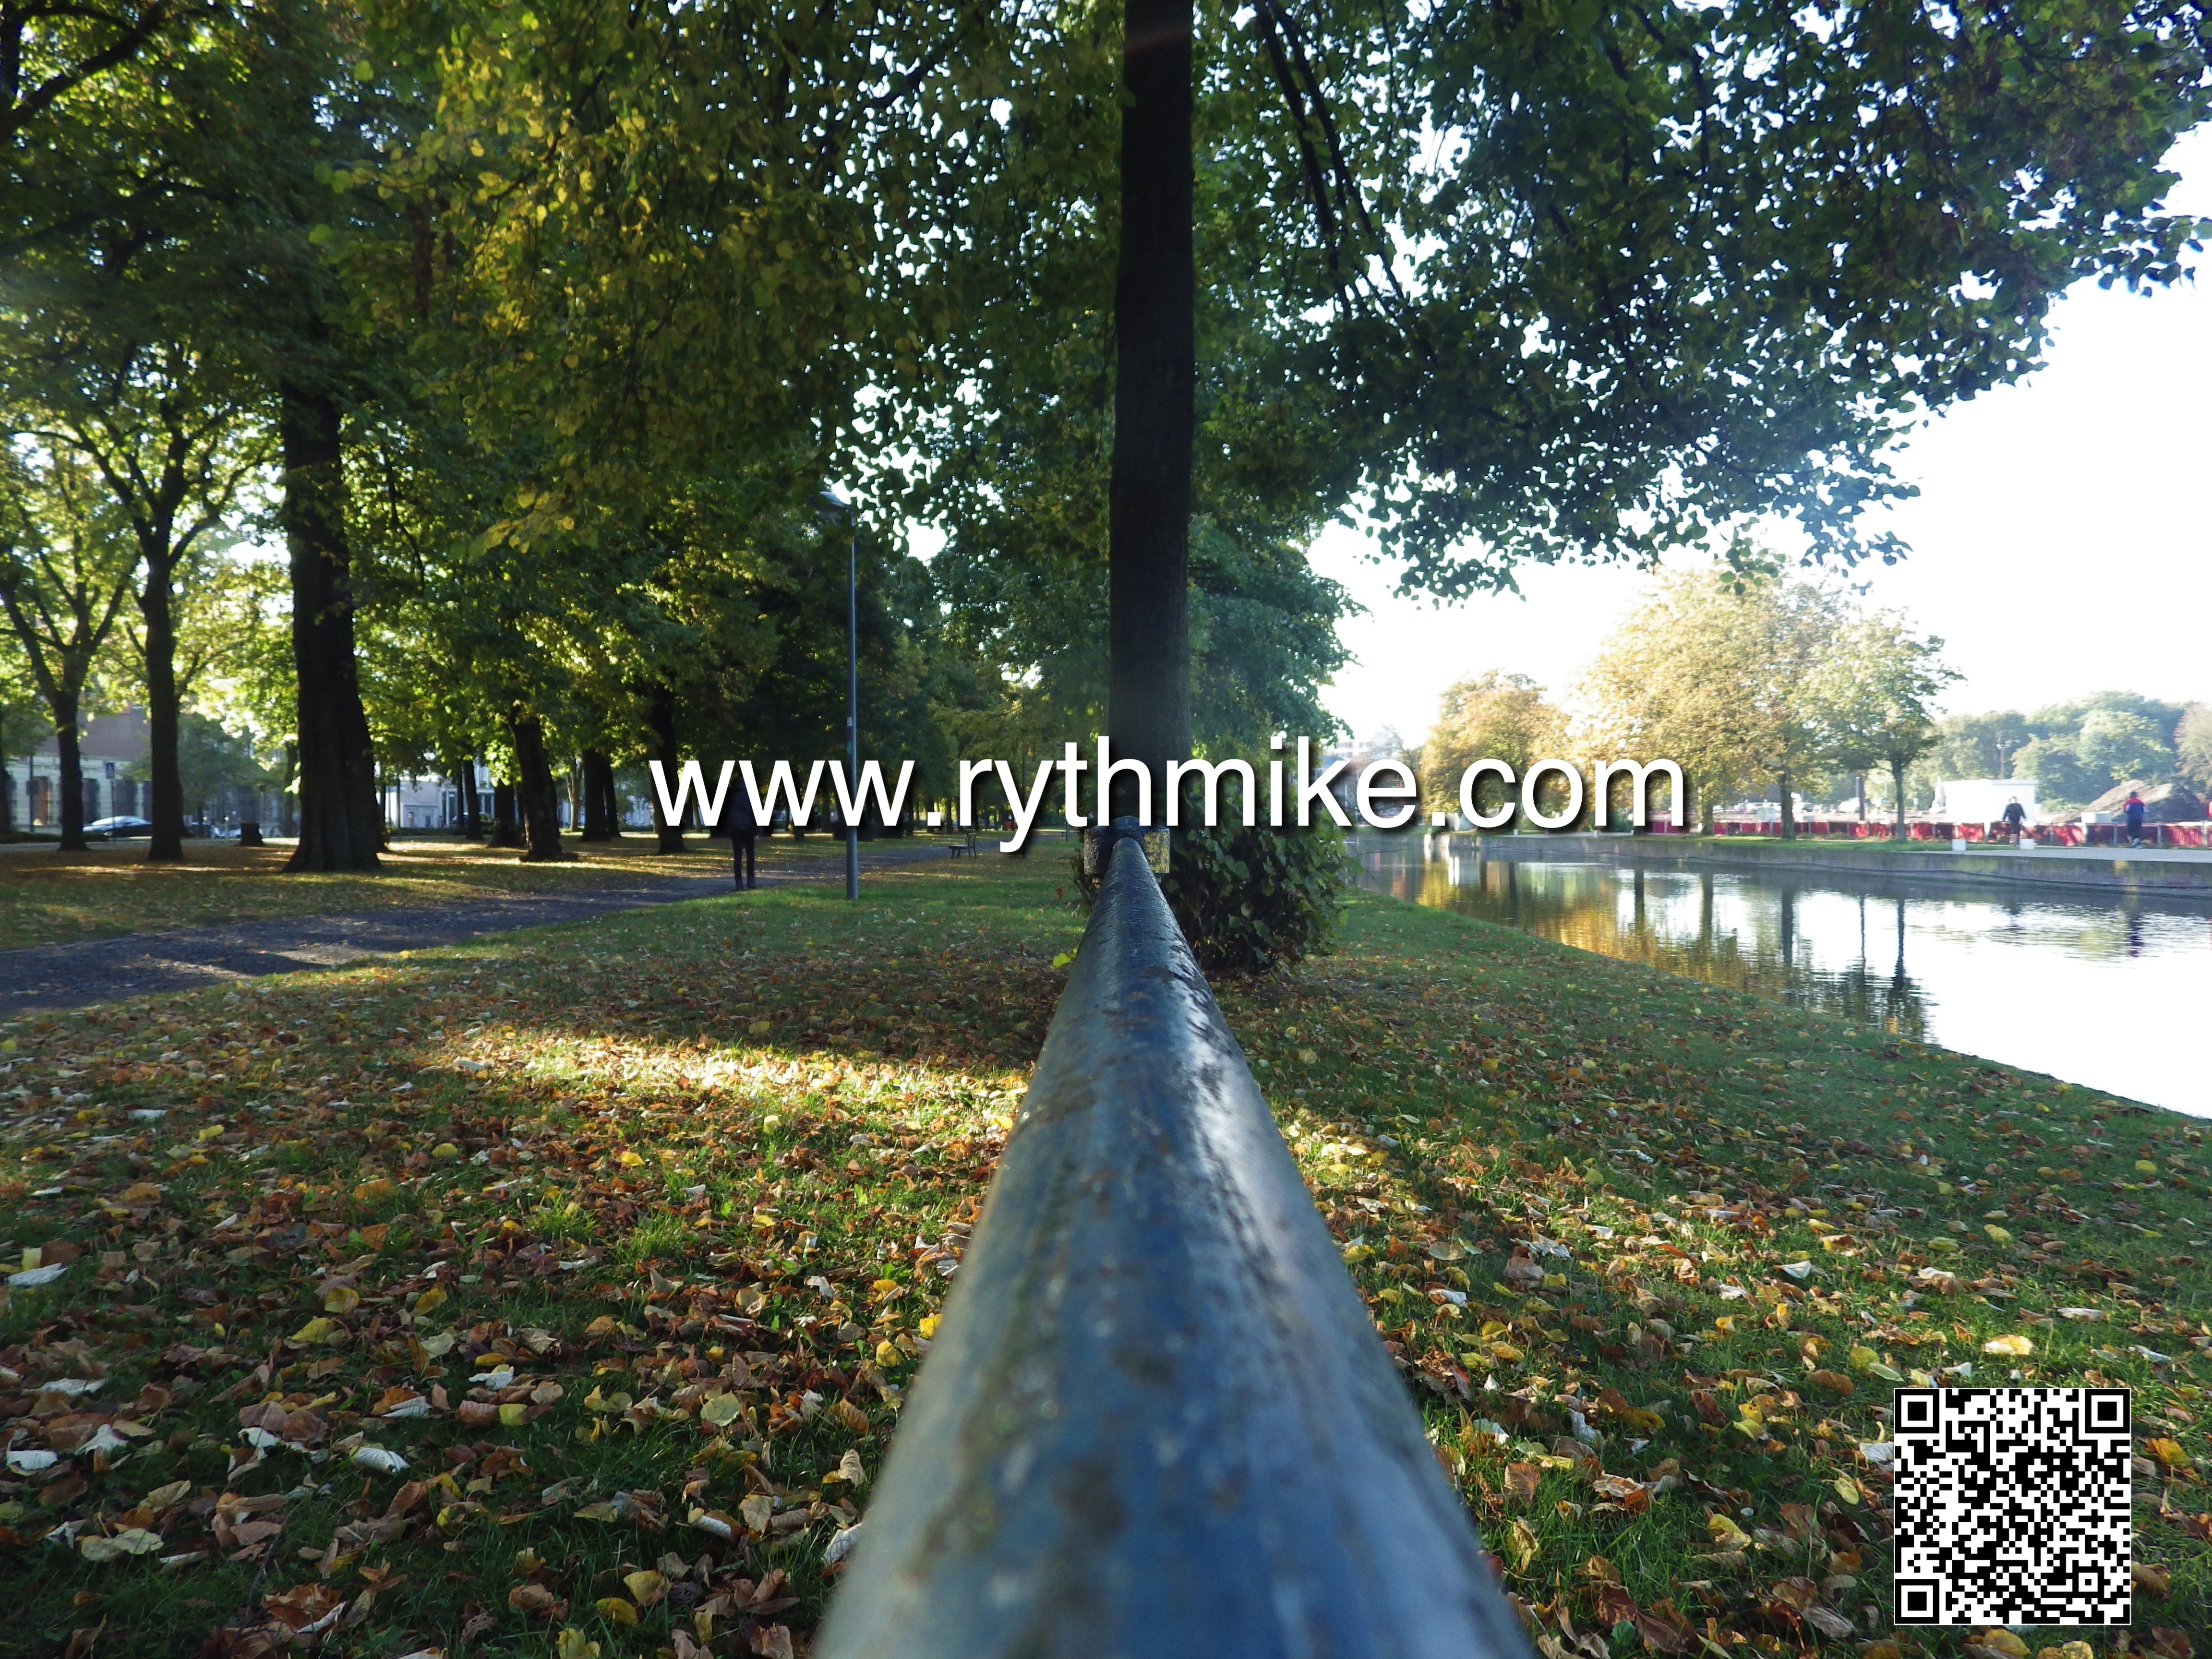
{"x":2100,"y":870}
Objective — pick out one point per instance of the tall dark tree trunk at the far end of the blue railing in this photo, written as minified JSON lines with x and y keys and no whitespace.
{"x":1154,"y":415}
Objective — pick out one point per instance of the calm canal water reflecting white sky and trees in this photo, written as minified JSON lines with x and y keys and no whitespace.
{"x":2111,"y":994}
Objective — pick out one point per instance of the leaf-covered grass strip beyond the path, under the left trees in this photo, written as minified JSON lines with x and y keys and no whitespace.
{"x":59,"y":899}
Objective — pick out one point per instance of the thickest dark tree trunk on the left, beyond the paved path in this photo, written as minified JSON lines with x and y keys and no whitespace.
{"x":340,"y":820}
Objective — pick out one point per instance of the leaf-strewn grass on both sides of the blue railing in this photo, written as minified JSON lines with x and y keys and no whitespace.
{"x":559,"y":1291}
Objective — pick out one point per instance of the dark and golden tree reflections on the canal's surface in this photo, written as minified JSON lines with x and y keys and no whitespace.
{"x":1762,"y":952}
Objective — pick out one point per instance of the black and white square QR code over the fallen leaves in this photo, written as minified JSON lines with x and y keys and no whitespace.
{"x":2012,"y":1505}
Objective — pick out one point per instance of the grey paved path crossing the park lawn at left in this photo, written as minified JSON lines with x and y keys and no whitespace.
{"x":109,"y":970}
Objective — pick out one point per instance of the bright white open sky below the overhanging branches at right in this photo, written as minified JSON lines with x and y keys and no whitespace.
{"x":2058,"y":543}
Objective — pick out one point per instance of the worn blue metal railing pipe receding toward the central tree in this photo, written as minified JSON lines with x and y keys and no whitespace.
{"x":1158,"y":1419}
